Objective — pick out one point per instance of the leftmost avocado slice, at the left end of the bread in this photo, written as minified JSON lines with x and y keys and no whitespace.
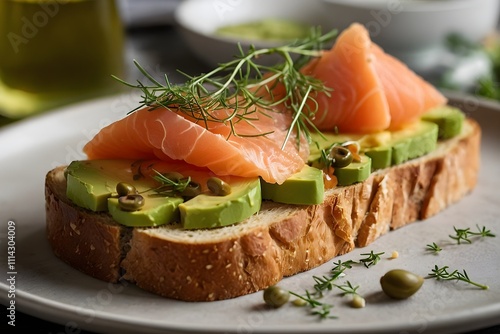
{"x":91,"y":182}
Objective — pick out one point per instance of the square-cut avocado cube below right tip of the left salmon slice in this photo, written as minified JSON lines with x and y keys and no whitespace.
{"x":305,"y":187}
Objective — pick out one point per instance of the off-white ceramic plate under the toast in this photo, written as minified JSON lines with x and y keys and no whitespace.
{"x":47,"y":288}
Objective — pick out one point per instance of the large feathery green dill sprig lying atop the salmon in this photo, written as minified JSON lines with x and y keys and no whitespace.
{"x":237,"y":88}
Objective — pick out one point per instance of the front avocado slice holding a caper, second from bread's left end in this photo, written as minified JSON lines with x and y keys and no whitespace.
{"x":156,"y":211}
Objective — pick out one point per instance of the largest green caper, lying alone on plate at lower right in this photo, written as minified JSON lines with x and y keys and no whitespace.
{"x":400,"y":284}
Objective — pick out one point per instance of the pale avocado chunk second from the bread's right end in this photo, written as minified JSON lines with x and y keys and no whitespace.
{"x":413,"y":141}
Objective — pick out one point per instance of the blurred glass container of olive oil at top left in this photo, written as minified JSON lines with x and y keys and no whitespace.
{"x":53,"y":52}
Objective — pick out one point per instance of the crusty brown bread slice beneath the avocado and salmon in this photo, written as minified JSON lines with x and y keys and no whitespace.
{"x":281,"y":240}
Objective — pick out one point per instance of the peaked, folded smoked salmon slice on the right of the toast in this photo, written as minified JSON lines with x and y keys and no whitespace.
{"x":371,"y":90}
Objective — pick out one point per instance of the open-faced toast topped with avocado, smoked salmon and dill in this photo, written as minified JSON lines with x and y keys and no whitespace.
{"x":224,"y":185}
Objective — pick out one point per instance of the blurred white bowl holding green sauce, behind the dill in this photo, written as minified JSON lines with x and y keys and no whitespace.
{"x":198,"y":20}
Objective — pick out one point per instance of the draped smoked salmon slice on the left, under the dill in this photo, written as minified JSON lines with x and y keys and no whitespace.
{"x":168,"y":135}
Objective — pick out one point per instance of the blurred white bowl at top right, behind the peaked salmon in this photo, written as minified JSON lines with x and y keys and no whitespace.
{"x":415,"y":30}
